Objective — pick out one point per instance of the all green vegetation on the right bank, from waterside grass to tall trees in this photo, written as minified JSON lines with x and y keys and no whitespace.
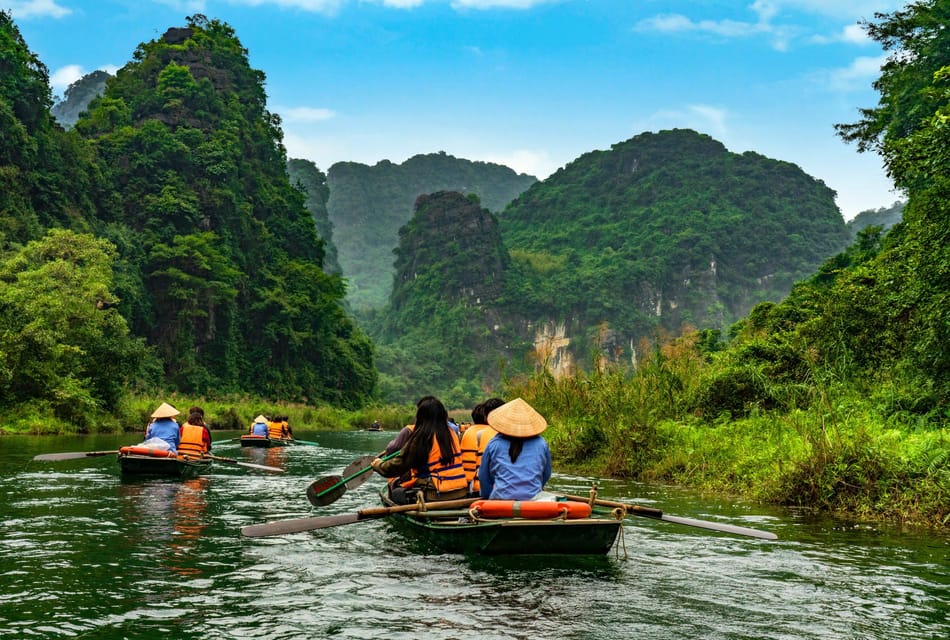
{"x":837,"y":397}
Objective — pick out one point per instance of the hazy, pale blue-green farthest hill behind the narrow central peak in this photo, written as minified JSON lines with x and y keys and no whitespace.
{"x":368,"y":205}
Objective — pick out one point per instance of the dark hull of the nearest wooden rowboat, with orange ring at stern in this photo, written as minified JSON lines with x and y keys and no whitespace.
{"x":456,"y":531}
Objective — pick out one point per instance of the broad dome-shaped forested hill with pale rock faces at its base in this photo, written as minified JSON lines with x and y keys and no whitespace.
{"x":666,"y":229}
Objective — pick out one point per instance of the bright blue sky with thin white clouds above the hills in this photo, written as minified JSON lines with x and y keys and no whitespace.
{"x":531,"y":84}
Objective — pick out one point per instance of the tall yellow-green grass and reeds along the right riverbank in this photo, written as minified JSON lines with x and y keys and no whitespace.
{"x":838,"y":451}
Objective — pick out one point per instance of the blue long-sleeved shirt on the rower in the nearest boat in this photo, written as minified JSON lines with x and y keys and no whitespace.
{"x":502,"y":479}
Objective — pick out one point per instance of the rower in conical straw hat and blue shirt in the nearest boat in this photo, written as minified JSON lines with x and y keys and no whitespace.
{"x":517,"y":461}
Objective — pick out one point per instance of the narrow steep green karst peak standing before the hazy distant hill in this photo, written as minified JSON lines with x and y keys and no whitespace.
{"x":442,"y":330}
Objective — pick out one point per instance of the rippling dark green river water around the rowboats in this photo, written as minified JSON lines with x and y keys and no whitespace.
{"x":84,"y":554}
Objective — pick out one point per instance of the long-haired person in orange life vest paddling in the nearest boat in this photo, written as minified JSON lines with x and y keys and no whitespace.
{"x":431,"y":459}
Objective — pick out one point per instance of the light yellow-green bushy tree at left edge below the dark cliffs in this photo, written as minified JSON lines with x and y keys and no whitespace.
{"x":62,"y":347}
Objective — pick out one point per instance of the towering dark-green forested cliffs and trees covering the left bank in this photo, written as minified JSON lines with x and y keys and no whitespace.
{"x":213,"y":260}
